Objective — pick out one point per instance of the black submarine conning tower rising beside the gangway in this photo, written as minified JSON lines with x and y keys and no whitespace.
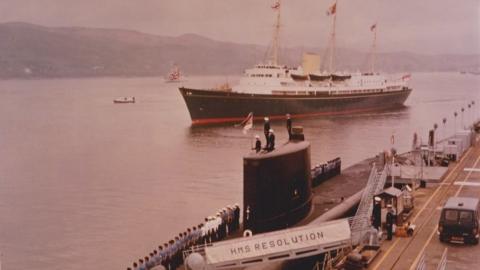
{"x":277,"y":186}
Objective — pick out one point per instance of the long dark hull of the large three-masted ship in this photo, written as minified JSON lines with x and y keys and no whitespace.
{"x":213,"y":106}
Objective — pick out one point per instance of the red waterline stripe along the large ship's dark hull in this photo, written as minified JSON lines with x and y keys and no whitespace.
{"x":274,"y":117}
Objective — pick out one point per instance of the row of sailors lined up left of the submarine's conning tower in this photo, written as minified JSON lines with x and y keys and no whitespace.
{"x":215,"y":228}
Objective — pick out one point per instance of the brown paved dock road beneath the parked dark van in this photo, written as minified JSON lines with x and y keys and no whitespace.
{"x":404,"y":253}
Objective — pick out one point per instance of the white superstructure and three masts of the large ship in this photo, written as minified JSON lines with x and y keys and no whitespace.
{"x":274,"y":78}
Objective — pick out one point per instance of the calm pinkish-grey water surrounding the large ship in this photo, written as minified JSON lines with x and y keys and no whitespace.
{"x":88,"y":184}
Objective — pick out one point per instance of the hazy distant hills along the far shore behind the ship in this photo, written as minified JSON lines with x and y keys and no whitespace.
{"x":32,"y":51}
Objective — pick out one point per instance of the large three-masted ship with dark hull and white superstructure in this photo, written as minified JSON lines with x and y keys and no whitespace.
{"x":274,"y":90}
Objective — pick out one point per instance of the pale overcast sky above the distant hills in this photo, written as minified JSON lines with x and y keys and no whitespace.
{"x":424,"y":26}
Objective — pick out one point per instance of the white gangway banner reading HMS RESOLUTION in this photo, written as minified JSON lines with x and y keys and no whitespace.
{"x":269,"y":244}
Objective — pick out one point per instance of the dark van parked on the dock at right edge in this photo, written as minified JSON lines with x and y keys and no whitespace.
{"x":459,"y":220}
